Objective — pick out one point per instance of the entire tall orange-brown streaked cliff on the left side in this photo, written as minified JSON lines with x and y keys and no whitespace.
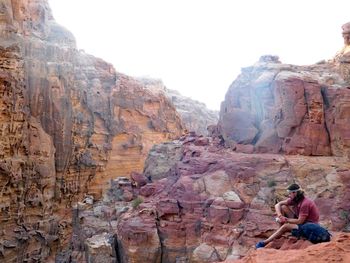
{"x":68,"y":124}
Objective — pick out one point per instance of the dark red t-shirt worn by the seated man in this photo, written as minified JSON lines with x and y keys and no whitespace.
{"x":307,"y":208}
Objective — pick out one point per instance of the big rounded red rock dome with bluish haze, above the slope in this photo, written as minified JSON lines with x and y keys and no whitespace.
{"x":288,"y":109}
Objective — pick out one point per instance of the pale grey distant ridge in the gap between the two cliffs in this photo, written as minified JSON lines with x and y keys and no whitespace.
{"x":195,"y":115}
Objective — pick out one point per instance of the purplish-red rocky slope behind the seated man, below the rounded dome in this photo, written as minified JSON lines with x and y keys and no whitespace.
{"x":213,"y":204}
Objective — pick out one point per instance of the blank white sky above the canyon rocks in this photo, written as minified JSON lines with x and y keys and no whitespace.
{"x":199,"y":46}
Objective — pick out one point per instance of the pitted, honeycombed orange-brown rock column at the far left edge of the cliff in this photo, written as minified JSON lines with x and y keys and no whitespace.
{"x":27,"y":169}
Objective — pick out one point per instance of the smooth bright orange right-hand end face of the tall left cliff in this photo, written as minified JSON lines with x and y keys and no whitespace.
{"x":141,"y":118}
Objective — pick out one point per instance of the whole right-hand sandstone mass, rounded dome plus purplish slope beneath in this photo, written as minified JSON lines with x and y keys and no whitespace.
{"x":210,"y":199}
